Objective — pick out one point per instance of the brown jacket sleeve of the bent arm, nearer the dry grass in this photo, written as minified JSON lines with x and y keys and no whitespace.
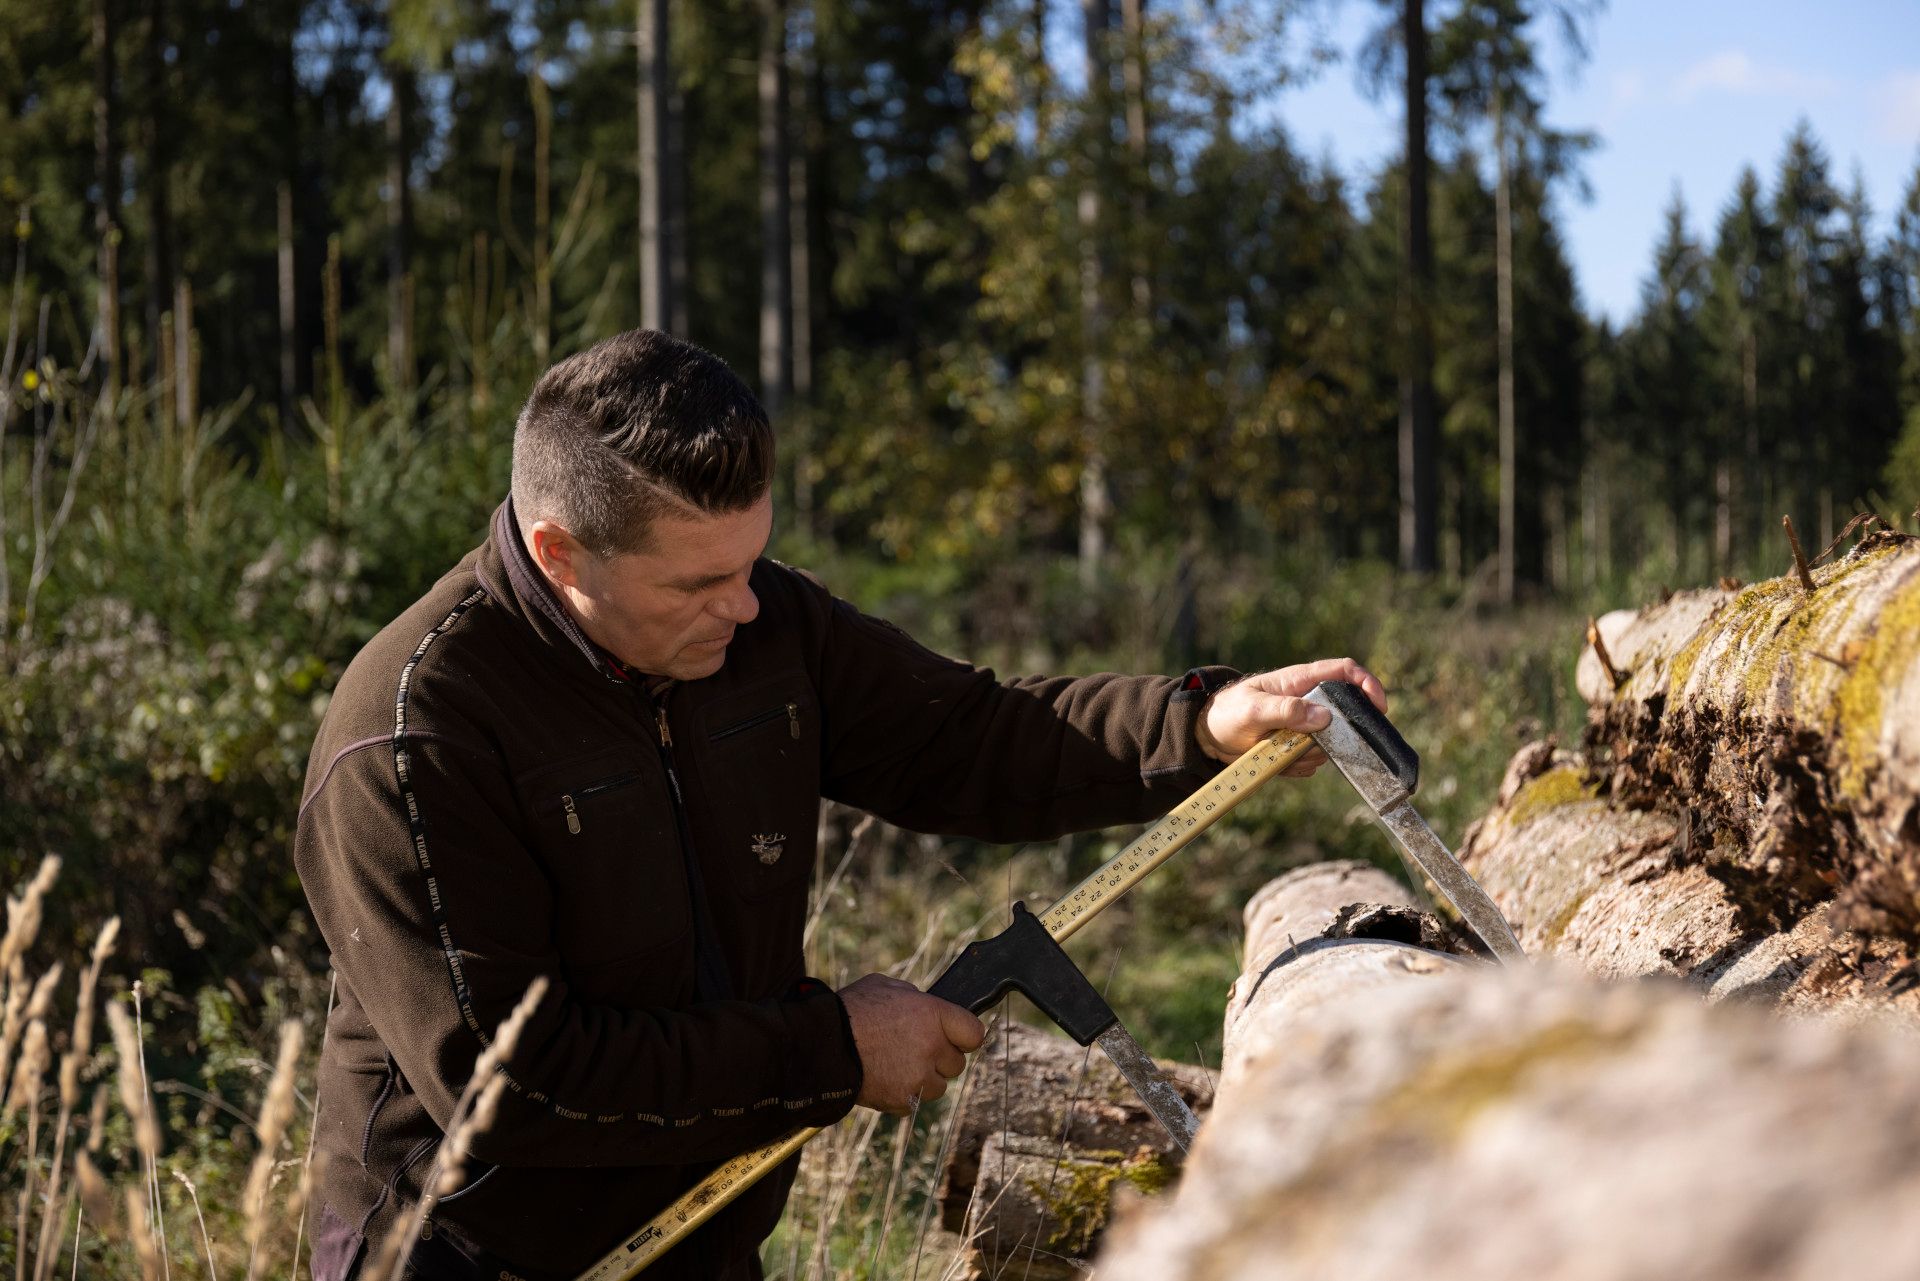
{"x":439,"y":919}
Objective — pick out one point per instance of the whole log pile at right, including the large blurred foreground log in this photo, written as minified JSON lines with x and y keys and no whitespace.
{"x":1744,"y":819}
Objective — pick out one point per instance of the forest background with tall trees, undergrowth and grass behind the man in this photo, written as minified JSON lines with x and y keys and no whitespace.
{"x":1076,"y":362}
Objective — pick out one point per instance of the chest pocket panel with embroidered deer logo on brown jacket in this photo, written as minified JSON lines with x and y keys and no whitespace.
{"x":761,"y":786}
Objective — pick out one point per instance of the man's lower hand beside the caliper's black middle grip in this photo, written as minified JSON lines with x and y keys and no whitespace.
{"x":909,"y":1044}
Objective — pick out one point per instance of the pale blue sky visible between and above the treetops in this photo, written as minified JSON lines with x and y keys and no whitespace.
{"x":1683,"y":93}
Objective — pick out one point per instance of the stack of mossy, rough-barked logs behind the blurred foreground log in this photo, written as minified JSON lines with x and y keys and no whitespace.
{"x":1746,"y":808}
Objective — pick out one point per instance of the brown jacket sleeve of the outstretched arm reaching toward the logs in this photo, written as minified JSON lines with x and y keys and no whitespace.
{"x":940,"y":746}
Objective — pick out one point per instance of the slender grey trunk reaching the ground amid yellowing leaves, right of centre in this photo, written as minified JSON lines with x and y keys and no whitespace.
{"x":1097,"y":498}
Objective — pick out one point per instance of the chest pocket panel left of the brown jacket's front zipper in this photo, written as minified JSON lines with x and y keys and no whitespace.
{"x":606,"y":834}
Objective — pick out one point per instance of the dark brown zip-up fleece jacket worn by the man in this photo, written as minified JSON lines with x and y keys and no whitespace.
{"x":491,"y":800}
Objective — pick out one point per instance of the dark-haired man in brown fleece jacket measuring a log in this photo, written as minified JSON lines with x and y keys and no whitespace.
{"x":594,"y":752}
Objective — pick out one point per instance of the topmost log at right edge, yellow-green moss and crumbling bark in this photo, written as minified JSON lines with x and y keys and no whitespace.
{"x":1785,"y":725}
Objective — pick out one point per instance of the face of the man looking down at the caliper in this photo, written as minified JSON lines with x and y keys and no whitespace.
{"x":671,"y":608}
